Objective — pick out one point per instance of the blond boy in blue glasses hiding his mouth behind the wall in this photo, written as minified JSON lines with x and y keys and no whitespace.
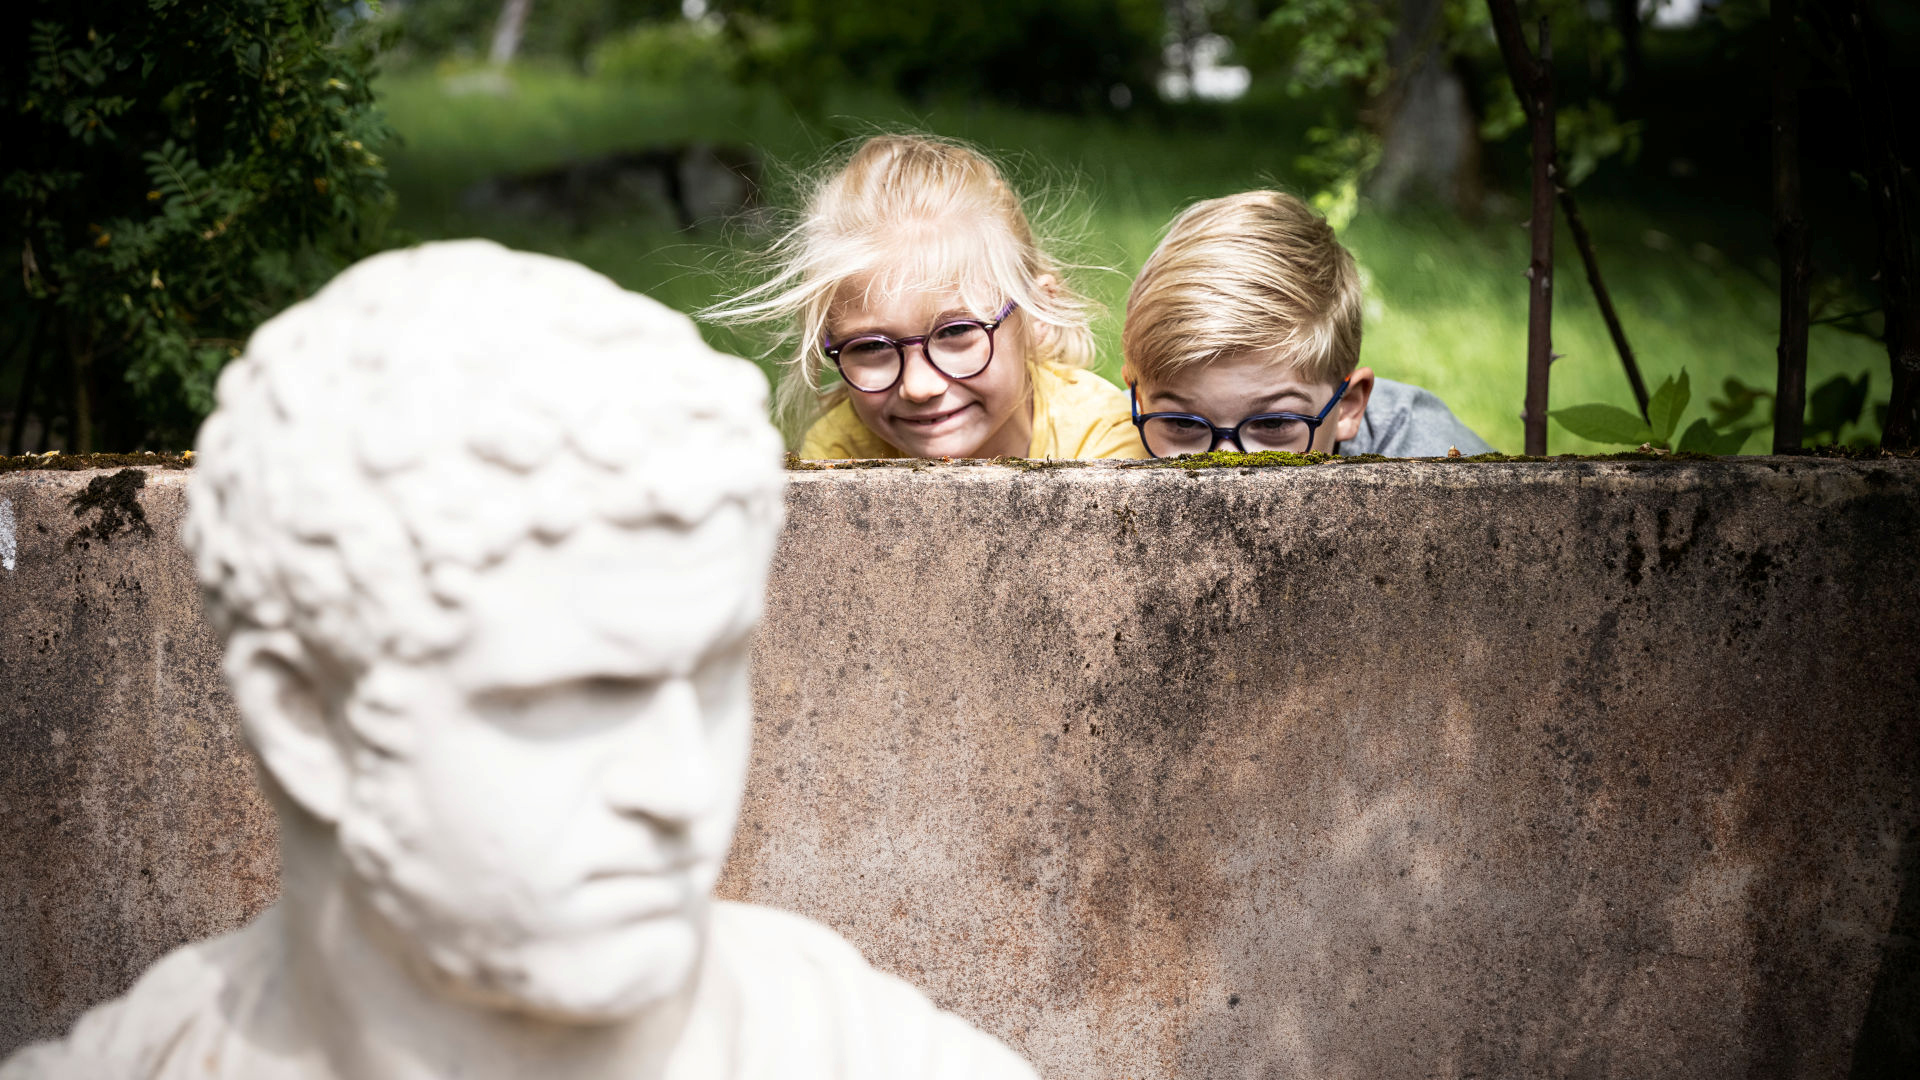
{"x":1243,"y":333}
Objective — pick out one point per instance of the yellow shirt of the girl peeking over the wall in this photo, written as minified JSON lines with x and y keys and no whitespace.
{"x":1076,"y":414}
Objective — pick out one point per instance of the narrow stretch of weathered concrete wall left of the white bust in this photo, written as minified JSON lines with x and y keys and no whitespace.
{"x":130,"y":822}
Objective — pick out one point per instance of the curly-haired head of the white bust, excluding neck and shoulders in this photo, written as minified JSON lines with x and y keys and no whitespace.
{"x":487,"y":539}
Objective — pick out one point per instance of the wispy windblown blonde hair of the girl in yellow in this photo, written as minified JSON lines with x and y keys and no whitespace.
{"x":905,"y":214}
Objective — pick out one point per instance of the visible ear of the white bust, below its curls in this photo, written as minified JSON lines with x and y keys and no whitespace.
{"x":283,"y":714}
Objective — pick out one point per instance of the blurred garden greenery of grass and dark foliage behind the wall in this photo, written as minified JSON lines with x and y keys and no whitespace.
{"x":174,"y":172}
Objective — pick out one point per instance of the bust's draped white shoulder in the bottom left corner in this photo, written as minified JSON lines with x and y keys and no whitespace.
{"x":180,"y":1019}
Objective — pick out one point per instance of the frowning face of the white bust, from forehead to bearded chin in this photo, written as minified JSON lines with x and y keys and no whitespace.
{"x":537,"y":820}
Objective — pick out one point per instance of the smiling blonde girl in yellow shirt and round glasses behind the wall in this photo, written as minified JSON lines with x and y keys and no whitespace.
{"x":926,"y":322}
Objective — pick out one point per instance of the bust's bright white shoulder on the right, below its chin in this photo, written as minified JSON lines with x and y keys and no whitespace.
{"x":811,"y":1006}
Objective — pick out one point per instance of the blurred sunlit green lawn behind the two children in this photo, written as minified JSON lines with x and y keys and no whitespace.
{"x":1447,"y":305}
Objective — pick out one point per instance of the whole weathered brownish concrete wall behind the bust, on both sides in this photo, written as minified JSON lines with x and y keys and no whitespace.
{"x":1573,"y":770}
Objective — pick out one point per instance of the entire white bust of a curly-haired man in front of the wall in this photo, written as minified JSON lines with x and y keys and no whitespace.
{"x":487,"y":539}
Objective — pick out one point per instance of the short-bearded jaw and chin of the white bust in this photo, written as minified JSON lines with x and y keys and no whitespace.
{"x":492,"y":935}
